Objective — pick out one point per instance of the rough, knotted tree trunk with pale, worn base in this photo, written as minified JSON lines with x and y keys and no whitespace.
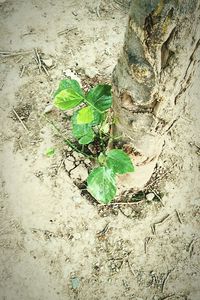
{"x":154,"y":71}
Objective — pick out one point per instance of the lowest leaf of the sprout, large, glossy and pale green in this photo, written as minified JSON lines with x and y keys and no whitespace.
{"x":102,"y":185}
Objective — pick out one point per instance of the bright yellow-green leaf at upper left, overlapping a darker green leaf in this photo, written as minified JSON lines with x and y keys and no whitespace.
{"x":67,"y":99}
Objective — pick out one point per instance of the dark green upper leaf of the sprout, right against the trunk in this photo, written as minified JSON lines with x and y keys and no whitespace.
{"x":100,"y":97}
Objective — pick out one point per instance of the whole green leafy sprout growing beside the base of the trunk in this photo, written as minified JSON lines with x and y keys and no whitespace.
{"x":90,"y":125}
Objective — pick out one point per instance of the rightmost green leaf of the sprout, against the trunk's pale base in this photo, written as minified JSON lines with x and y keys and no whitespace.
{"x":119,"y":162}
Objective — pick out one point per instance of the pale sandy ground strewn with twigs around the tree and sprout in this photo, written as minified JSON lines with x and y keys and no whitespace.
{"x":54,"y":243}
